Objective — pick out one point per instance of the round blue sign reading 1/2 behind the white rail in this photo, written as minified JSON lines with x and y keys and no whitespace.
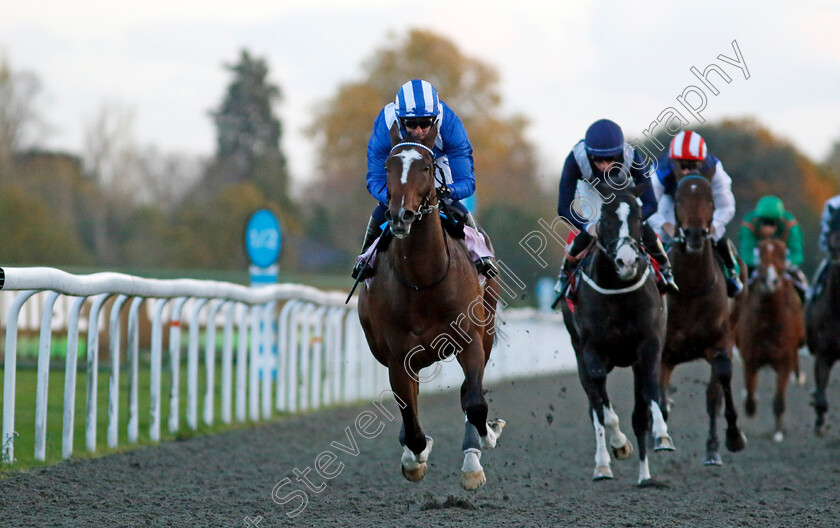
{"x":262,"y":243}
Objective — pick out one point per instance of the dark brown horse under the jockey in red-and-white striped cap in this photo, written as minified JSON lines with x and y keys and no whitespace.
{"x":701,"y":318}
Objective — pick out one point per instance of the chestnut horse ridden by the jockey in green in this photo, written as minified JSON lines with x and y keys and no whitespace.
{"x":771,"y":328}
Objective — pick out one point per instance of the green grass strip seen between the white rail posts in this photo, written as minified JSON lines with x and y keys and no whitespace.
{"x":26,"y":383}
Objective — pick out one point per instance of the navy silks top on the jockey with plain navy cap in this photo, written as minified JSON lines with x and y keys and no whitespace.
{"x":580,"y":203}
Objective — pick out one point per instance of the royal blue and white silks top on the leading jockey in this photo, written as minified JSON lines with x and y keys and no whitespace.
{"x":453,"y":154}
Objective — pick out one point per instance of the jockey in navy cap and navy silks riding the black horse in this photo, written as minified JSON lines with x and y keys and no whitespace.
{"x":603,"y":156}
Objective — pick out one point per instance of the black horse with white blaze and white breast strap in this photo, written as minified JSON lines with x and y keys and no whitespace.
{"x":619,"y":321}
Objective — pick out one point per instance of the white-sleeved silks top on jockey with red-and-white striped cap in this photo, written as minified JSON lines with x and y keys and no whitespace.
{"x":665,"y":186}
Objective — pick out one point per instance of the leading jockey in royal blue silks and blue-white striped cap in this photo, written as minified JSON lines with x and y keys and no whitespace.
{"x":415,"y":109}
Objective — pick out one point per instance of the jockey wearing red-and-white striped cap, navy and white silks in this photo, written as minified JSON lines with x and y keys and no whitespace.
{"x":688,"y":154}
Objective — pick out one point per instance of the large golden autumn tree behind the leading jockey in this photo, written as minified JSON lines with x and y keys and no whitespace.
{"x":504,"y":159}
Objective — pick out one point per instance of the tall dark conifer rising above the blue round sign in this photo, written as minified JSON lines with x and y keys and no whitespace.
{"x":248,"y":133}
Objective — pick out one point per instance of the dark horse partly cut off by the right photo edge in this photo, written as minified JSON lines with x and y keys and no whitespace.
{"x":821,"y":315}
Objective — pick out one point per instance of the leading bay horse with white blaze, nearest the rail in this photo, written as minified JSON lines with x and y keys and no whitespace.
{"x":424,"y":304}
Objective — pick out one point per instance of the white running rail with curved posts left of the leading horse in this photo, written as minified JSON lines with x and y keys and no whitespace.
{"x":300,"y":328}
